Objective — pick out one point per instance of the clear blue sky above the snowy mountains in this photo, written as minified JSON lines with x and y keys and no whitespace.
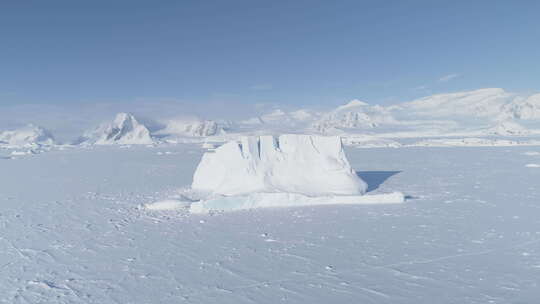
{"x":318,"y":53}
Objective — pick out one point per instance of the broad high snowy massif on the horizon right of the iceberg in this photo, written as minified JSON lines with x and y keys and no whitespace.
{"x":489,"y":111}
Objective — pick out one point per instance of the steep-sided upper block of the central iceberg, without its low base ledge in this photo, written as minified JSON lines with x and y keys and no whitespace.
{"x":303,"y":164}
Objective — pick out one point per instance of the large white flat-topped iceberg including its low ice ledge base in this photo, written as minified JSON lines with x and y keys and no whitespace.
{"x":260,"y":172}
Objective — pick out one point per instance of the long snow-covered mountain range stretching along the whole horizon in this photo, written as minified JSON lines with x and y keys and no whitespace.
{"x":484,"y":112}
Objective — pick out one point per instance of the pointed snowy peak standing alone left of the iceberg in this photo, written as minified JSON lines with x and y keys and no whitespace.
{"x":125,"y":129}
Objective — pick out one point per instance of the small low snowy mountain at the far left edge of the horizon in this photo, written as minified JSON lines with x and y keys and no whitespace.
{"x":28,"y":137}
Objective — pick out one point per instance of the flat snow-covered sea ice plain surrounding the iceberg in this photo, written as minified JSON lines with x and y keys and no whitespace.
{"x":73,"y":231}
